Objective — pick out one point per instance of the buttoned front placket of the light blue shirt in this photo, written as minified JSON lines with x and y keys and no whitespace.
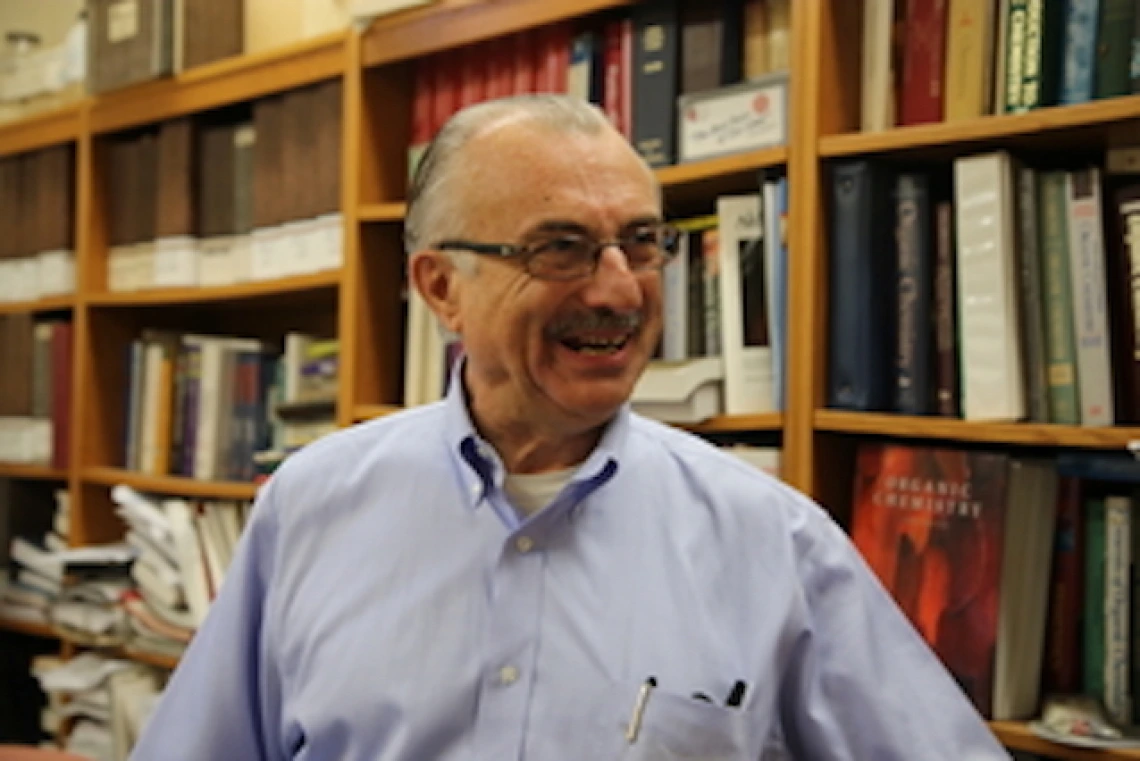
{"x":511,"y":650}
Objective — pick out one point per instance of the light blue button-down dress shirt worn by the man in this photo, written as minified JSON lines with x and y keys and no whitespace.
{"x":388,"y":604}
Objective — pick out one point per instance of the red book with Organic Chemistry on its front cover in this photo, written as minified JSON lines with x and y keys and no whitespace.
{"x":931,"y":525}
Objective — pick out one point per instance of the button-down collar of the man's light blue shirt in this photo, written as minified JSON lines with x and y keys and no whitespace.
{"x":476,"y":459}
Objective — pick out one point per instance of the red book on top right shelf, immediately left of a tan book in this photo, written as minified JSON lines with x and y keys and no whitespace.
{"x":924,"y":62}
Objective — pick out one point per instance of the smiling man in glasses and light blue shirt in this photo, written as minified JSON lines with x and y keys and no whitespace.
{"x":527,"y":570}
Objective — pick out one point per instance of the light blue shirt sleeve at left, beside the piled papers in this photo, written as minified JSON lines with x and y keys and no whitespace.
{"x":224,"y":700}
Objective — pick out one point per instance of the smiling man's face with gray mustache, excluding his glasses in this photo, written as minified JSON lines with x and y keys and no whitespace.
{"x":563,"y":354}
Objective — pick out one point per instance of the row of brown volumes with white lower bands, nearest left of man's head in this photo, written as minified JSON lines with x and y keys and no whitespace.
{"x":246,"y":195}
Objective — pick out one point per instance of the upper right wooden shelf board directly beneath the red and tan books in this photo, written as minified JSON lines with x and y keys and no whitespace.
{"x":1098,"y":113}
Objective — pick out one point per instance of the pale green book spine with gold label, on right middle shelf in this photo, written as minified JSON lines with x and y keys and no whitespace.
{"x":1061,"y":347}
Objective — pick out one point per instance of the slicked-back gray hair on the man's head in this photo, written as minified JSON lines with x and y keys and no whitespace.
{"x":430,"y":214}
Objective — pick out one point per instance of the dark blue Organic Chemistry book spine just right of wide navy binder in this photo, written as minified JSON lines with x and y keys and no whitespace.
{"x":913,"y":357}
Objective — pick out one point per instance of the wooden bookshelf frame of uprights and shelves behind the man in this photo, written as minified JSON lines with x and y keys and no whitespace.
{"x":361,"y":302}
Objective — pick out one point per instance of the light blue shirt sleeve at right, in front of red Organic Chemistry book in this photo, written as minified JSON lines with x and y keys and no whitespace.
{"x":861,"y":683}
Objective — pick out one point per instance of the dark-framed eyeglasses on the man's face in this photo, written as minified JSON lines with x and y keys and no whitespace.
{"x":573,"y":256}
